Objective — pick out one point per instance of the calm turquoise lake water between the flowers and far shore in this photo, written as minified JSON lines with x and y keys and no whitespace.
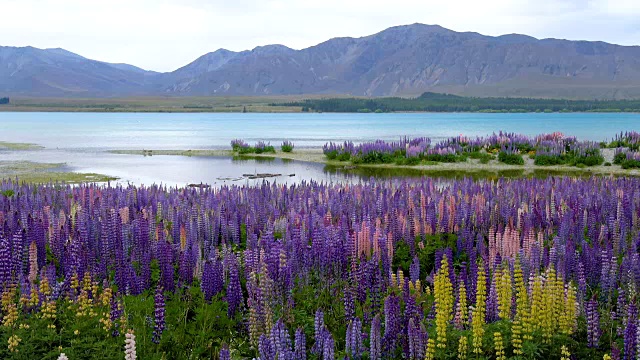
{"x":81,"y":139}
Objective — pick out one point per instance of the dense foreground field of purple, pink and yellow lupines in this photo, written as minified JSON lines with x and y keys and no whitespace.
{"x":413,"y":269}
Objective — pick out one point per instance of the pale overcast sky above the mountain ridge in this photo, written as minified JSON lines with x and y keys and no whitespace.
{"x":163,"y":35}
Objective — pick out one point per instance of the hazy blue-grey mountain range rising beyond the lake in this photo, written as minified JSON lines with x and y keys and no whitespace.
{"x":399,"y":61}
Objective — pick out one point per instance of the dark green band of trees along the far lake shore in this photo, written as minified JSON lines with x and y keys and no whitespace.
{"x":434,"y":102}
